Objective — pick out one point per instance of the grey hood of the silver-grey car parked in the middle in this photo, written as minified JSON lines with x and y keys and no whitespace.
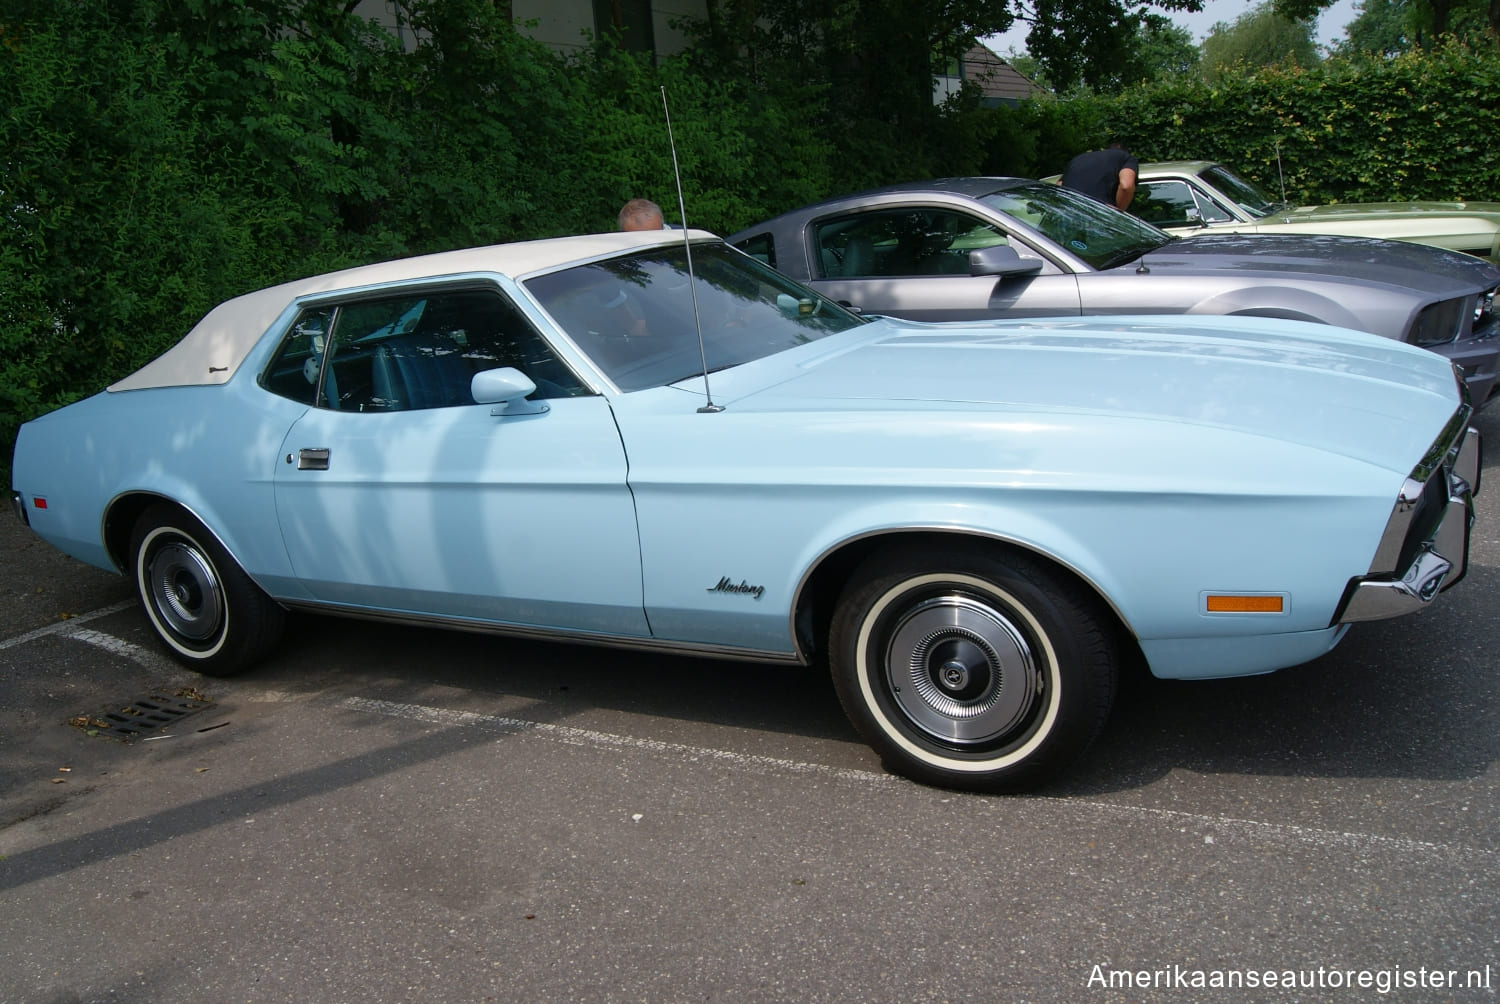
{"x":1430,"y":271}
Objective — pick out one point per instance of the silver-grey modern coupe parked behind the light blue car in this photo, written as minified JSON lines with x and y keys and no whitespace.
{"x":977,"y":247}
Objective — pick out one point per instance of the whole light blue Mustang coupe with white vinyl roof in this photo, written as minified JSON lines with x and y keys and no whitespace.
{"x":655,"y":440}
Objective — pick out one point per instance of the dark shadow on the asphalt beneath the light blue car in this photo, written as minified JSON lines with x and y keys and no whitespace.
{"x":1394,"y":700}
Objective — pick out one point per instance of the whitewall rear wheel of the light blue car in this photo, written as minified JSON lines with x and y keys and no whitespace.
{"x":199,"y":601}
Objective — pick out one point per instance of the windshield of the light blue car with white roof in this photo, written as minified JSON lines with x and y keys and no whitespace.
{"x":635,"y":319}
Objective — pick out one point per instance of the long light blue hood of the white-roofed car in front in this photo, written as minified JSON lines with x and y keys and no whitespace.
{"x":1328,"y":389}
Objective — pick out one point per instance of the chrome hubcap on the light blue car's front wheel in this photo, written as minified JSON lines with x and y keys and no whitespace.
{"x":961,"y":670}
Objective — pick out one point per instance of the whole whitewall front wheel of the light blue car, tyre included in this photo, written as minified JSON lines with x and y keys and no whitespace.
{"x":973,"y":670}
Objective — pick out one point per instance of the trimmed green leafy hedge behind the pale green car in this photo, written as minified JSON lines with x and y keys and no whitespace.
{"x":1423,"y":125}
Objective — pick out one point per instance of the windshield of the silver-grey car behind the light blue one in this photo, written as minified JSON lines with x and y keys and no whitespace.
{"x":1097,"y":233}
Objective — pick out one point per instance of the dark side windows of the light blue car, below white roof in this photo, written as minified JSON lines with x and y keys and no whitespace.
{"x":412,"y":352}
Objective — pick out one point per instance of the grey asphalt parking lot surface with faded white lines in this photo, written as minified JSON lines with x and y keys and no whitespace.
{"x":409,"y":816}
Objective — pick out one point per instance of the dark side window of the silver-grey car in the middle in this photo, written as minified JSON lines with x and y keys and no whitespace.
{"x":902,"y":242}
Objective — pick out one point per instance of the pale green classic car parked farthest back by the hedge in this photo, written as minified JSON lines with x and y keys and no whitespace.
{"x":1189,"y":197}
